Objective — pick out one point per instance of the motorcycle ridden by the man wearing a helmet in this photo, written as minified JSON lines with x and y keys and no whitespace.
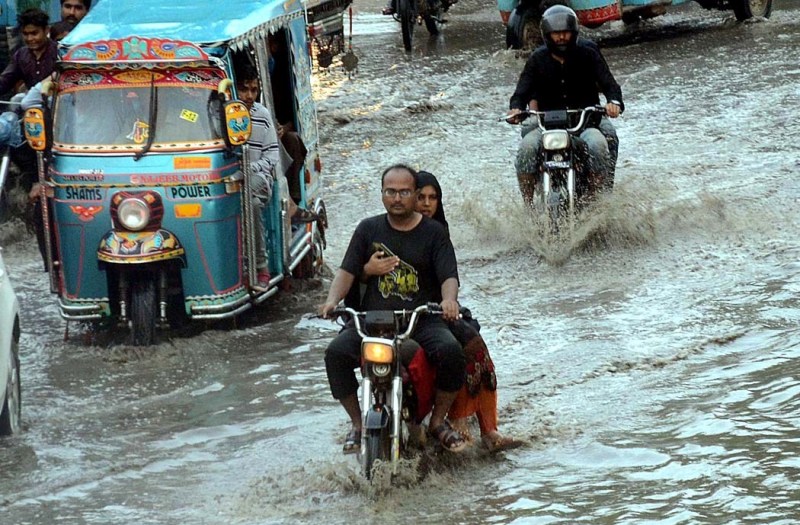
{"x":561,"y":187}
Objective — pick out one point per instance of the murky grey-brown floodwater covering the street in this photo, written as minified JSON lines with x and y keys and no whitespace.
{"x":651,"y":359}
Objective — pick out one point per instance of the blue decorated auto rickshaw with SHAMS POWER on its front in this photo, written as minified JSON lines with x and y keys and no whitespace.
{"x":141,"y":145}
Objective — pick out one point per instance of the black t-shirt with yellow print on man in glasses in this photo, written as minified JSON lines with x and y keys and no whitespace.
{"x":427,"y":259}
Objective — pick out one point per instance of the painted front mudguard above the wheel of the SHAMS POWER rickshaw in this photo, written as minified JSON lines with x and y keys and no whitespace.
{"x":139,"y":247}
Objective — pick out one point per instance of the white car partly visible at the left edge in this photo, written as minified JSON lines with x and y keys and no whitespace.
{"x":10,"y":393}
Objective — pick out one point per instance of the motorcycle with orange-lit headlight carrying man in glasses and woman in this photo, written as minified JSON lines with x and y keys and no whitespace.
{"x":391,"y":402}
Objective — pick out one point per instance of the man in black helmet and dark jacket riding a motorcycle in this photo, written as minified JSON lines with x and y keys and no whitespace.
{"x":566,"y":73}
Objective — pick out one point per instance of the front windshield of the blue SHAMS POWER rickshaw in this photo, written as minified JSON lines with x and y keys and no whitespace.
{"x":113,"y":108}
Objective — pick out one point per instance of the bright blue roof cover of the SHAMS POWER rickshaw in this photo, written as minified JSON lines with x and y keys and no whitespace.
{"x":200,"y":22}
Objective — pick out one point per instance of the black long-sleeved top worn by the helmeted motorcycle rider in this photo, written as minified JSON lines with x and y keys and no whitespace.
{"x":575,"y":84}
